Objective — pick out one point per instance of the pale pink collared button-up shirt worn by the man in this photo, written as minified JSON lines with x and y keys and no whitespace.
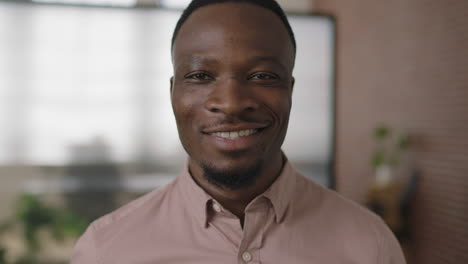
{"x":295,"y":221}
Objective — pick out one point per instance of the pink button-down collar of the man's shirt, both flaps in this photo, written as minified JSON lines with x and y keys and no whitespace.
{"x":198,"y":200}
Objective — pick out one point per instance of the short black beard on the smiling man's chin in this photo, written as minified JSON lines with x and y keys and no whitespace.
{"x":232,"y":179}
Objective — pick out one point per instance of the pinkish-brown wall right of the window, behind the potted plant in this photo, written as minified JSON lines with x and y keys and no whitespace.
{"x":405,"y":63}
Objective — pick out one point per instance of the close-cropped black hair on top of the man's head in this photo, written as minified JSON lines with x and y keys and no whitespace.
{"x":271,"y":5}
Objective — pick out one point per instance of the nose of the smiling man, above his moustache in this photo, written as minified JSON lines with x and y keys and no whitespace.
{"x":231,"y":97}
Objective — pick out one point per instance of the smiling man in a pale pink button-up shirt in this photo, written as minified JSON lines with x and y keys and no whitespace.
{"x":238,"y":200}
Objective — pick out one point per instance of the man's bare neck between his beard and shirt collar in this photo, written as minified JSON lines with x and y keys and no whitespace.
{"x":237,"y":200}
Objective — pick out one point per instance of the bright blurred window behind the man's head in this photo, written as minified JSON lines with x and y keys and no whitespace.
{"x":77,"y":80}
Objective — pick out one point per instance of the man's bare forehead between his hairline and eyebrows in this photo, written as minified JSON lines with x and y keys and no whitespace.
{"x":236,"y":30}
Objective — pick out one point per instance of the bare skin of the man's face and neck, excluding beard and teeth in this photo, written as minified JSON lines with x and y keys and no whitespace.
{"x":233,"y":67}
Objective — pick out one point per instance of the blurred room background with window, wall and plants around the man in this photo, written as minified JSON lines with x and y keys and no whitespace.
{"x":380,"y":114}
